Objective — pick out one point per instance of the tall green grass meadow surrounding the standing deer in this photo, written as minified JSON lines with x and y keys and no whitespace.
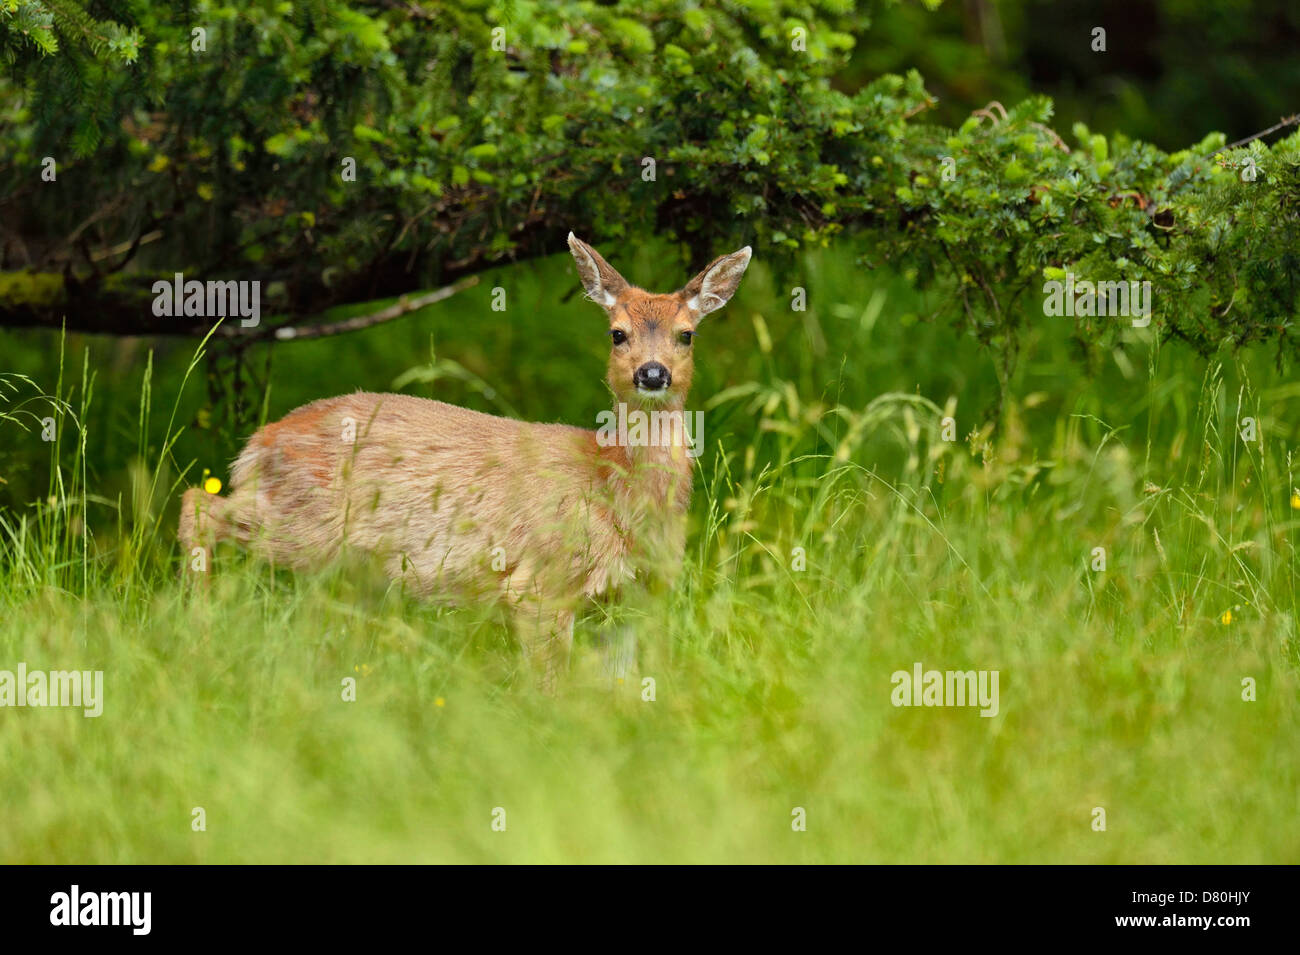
{"x":1120,"y":689}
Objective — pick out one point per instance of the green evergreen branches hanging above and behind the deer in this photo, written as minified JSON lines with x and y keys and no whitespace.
{"x":215,"y":138}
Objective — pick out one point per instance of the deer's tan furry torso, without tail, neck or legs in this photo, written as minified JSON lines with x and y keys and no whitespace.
{"x":452,"y":497}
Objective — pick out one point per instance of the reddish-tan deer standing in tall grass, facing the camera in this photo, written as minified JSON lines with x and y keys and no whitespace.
{"x":461,"y":505}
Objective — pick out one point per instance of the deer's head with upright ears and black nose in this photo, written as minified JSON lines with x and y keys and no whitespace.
{"x":652,"y":336}
